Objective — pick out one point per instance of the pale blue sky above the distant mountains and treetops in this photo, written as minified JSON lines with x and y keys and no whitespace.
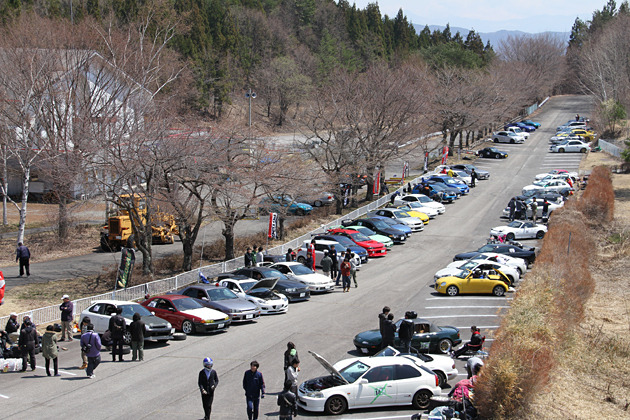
{"x":492,"y":15}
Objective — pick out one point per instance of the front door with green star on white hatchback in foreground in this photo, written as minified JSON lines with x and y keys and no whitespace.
{"x":380,"y":388}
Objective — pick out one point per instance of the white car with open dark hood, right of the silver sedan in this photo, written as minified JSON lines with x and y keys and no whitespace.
{"x":258,"y":292}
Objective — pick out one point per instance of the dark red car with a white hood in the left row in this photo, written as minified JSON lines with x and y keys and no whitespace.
{"x":186,"y":314}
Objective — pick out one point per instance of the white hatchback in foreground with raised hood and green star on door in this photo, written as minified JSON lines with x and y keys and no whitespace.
{"x":369,"y":382}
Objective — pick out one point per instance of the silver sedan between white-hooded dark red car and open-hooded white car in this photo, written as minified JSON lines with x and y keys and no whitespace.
{"x":224,"y":300}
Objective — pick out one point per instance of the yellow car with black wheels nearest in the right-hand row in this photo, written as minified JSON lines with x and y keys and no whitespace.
{"x":477,"y":281}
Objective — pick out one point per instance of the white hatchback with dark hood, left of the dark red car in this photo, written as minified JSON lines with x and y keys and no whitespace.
{"x":155,"y":328}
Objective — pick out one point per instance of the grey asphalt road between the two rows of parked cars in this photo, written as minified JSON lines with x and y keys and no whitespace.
{"x":164,"y":385}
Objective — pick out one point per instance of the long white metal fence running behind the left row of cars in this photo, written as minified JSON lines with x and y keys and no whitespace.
{"x":52,"y":314}
